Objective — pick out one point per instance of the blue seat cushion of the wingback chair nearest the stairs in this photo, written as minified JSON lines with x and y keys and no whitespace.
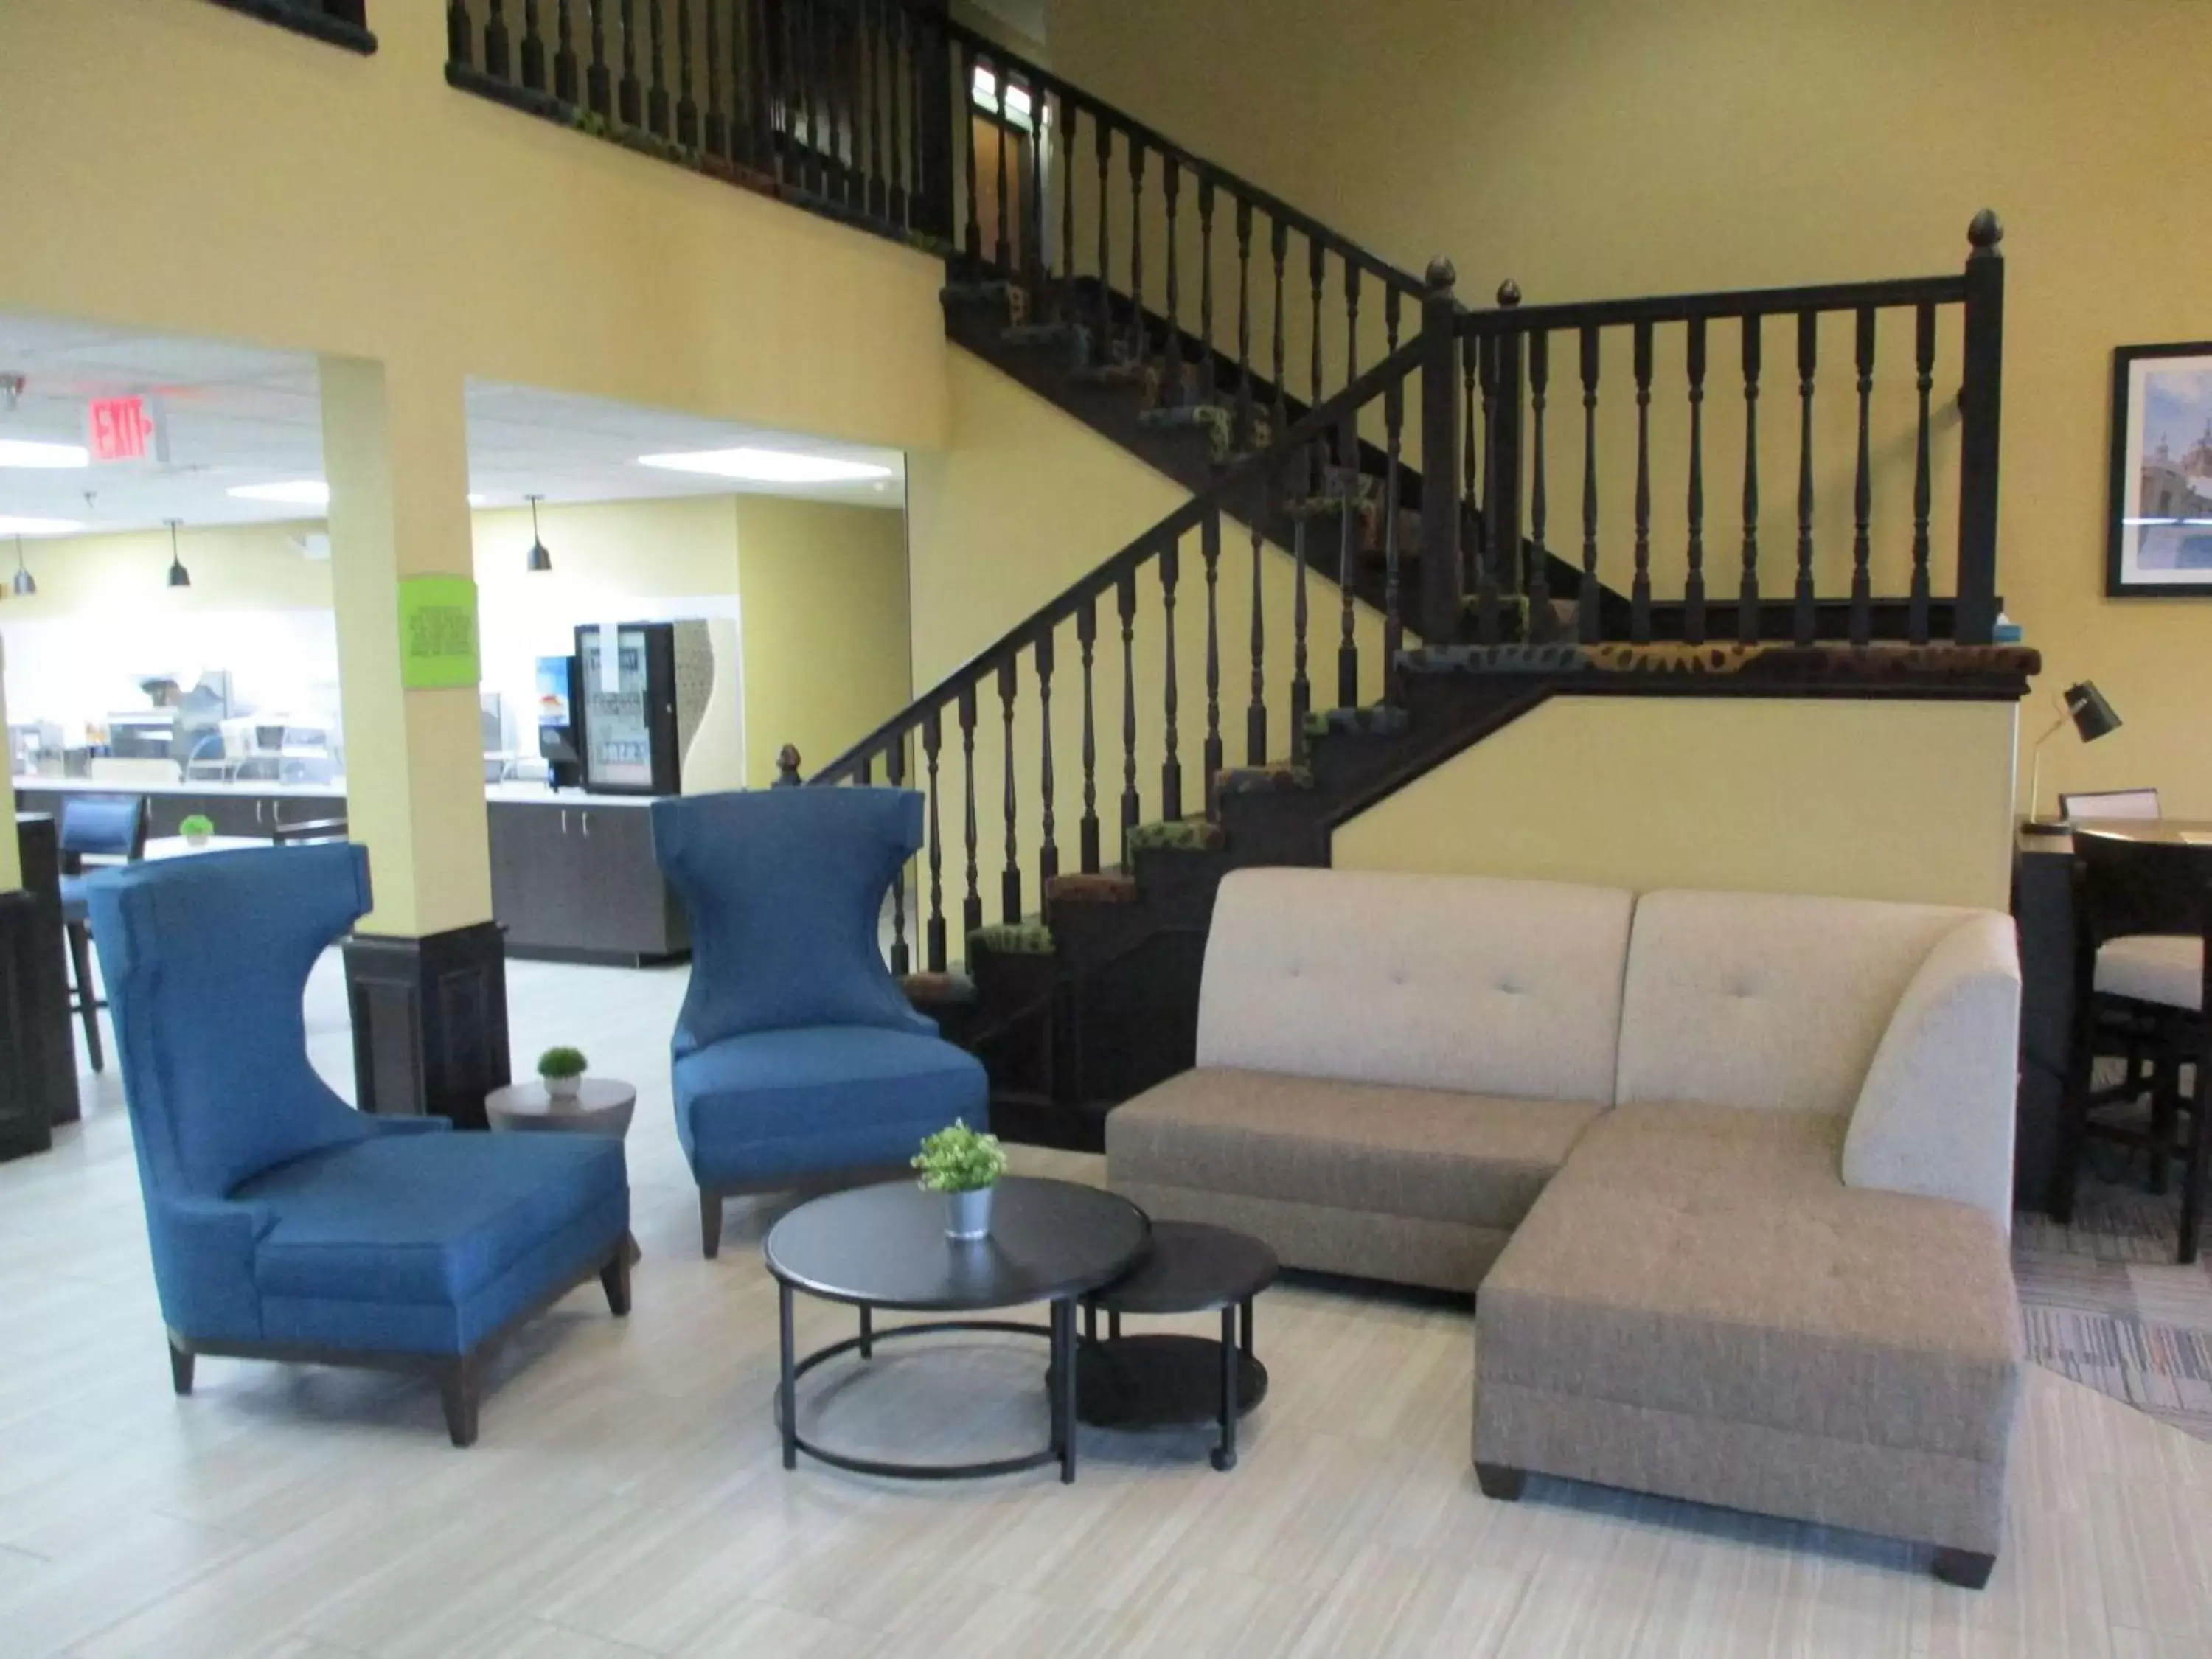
{"x":839,"y":1098}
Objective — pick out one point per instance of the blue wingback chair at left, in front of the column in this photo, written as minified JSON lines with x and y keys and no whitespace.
{"x":284,"y":1222}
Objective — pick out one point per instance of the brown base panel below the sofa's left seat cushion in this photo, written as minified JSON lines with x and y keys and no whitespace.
{"x":1404,"y":1251}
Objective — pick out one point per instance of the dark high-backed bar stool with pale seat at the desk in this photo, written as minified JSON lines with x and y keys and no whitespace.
{"x":2142,"y":917}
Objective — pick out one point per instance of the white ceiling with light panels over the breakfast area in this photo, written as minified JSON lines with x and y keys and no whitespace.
{"x":238,"y":415}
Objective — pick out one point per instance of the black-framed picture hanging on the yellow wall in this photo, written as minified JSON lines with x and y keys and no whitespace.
{"x":2160,"y":519}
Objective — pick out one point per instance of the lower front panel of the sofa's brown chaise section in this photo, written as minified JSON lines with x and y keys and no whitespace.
{"x":1890,"y":1492}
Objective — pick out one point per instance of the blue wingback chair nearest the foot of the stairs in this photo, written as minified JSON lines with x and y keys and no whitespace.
{"x":797,"y":1056}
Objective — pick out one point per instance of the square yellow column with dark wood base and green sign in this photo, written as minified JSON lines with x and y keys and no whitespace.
{"x":426,"y":968}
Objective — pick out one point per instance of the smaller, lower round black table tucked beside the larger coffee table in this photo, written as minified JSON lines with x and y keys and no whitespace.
{"x":1158,"y":1381}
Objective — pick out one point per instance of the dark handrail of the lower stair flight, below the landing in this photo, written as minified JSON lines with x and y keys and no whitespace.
{"x":1322,"y":421}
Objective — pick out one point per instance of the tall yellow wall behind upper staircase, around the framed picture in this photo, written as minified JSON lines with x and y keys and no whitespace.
{"x":1623,"y":149}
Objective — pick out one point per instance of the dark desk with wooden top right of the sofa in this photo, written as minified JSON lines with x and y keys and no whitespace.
{"x":2043,"y":910}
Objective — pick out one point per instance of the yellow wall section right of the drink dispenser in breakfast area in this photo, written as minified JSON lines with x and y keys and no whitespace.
{"x":826,"y":627}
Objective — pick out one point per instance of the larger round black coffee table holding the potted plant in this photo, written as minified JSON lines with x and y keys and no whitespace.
{"x":884,"y":1246}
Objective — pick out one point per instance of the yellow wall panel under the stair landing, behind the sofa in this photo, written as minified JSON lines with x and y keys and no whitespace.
{"x":1857,"y":800}
